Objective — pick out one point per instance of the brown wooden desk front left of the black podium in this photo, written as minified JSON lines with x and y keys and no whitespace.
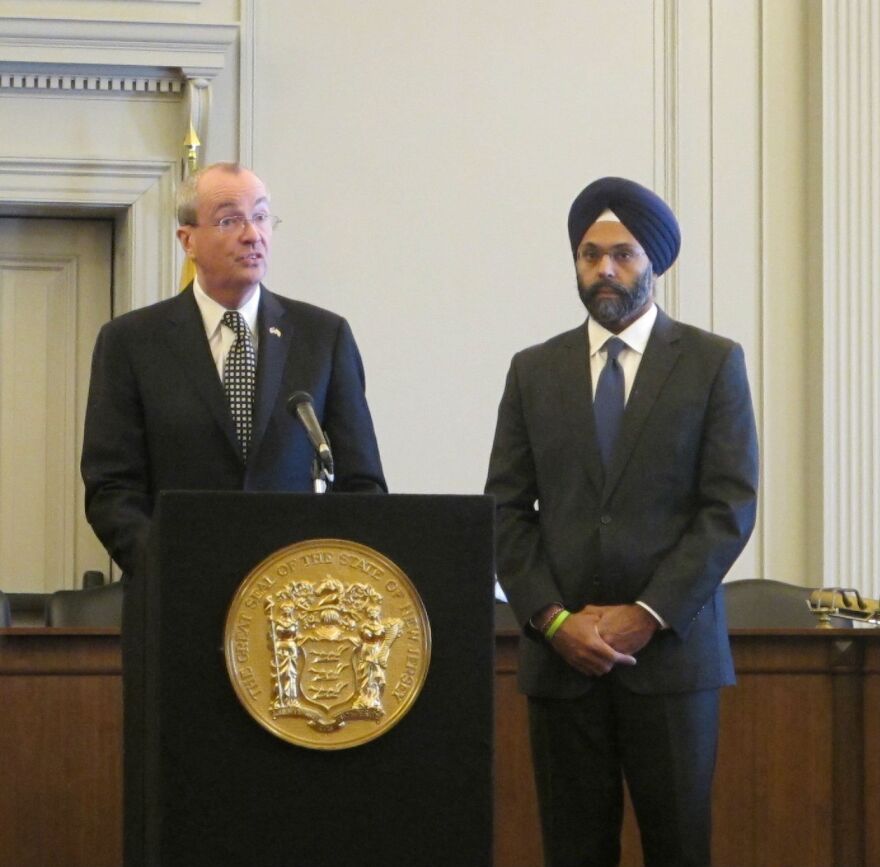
{"x":61,"y":743}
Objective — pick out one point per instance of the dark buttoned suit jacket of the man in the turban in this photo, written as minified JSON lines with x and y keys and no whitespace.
{"x":663,"y":525}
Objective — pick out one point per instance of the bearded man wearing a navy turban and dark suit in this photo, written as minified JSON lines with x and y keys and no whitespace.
{"x":624,"y":470}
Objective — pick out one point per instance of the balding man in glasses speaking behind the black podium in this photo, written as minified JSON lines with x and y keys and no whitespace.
{"x":190,"y":393}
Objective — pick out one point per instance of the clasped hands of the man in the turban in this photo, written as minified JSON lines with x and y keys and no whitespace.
{"x":599,"y":637}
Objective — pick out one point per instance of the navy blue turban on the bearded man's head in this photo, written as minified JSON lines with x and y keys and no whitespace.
{"x":643,"y":212}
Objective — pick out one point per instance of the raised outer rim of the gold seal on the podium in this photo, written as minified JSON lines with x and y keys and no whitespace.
{"x":242,"y":591}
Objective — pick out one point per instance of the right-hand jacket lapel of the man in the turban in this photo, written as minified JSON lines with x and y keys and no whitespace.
{"x":661,"y":355}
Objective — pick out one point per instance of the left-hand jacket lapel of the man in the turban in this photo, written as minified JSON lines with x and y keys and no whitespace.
{"x":571,"y":372}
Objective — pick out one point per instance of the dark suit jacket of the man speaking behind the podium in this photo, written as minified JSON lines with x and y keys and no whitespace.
{"x":158,"y":419}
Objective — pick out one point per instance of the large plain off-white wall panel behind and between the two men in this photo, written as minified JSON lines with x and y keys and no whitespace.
{"x":423,"y":157}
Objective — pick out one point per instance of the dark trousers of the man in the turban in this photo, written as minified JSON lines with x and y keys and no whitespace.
{"x":663,"y":745}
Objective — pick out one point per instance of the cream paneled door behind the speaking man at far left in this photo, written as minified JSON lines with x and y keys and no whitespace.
{"x":55,"y":292}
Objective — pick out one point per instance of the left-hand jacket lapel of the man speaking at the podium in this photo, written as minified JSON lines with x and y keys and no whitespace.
{"x":186,"y":337}
